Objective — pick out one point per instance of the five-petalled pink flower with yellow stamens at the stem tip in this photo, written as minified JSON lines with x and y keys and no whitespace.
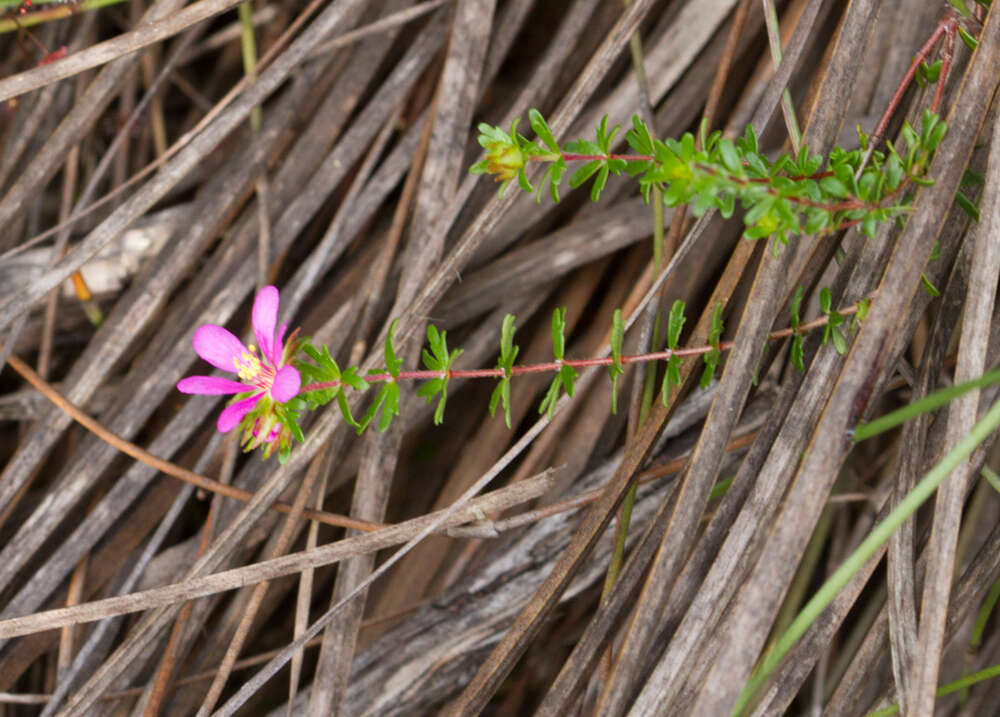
{"x":266,"y":375}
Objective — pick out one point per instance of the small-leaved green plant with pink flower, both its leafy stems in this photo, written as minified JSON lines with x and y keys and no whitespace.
{"x":276,"y":385}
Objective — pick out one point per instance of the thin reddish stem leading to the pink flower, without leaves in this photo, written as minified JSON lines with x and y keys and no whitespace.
{"x":551,"y":366}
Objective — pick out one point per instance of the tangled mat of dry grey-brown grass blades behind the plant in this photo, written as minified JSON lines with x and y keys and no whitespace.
{"x":138,"y":159}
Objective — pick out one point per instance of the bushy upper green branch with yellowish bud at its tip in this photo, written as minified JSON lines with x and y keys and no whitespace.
{"x":790,"y":196}
